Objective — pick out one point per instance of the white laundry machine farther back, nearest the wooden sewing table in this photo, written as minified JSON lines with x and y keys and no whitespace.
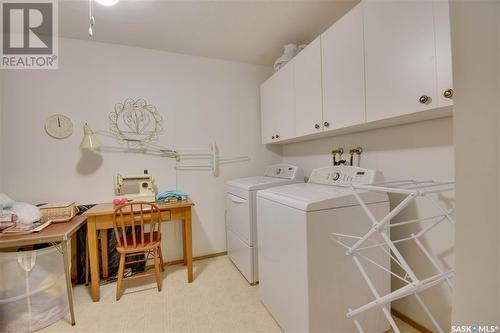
{"x":241,"y":225}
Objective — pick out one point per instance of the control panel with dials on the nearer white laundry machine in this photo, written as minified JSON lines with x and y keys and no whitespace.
{"x":344,"y":176}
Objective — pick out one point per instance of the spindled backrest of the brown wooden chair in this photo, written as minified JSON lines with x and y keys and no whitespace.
{"x":137,"y":215}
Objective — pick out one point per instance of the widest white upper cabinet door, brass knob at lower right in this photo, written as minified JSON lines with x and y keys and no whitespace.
{"x":400,"y":61}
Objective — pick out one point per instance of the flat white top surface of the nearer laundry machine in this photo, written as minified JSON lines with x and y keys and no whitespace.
{"x":312,"y":197}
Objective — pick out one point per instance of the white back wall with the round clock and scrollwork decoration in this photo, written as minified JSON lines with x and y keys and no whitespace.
{"x":202,"y":100}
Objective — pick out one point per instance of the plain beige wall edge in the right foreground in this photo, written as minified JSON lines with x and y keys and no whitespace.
{"x":476,"y":54}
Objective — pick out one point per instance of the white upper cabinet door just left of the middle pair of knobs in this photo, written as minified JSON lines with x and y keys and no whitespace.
{"x":307,"y":81}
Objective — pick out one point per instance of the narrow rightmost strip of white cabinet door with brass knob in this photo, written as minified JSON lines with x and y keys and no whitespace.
{"x":443,"y":53}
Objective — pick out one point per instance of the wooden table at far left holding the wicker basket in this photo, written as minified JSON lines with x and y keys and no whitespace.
{"x":54,"y":233}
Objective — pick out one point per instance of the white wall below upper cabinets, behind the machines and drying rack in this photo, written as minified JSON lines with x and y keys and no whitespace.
{"x":419,"y":150}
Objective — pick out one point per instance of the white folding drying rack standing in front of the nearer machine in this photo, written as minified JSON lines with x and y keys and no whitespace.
{"x":411,"y":189}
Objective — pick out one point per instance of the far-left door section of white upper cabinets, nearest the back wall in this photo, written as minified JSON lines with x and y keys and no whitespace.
{"x":277,"y":106}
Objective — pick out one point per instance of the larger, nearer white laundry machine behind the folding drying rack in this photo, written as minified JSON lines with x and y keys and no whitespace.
{"x":306,"y":281}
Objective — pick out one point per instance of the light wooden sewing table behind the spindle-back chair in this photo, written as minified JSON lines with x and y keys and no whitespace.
{"x":100,"y":217}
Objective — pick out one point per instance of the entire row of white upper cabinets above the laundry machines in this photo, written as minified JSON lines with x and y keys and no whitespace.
{"x":379,"y":65}
